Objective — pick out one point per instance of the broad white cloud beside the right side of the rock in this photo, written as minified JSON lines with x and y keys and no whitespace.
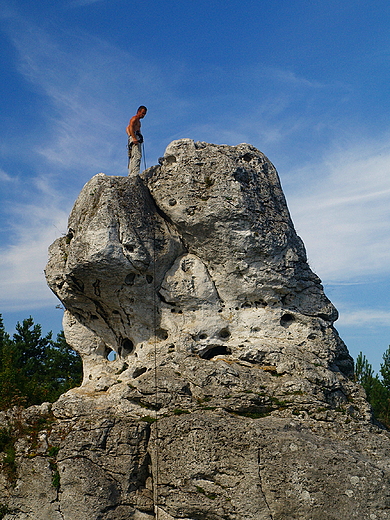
{"x":343,"y":212}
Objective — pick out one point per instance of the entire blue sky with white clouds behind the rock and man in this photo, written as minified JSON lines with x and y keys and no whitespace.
{"x":306,"y":82}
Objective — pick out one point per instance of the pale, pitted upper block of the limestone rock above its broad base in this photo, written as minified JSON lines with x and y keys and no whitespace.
{"x":200,"y":244}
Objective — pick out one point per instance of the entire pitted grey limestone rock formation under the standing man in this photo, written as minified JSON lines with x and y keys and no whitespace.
{"x":230,"y":395}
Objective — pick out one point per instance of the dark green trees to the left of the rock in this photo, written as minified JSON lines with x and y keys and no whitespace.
{"x":35,"y":368}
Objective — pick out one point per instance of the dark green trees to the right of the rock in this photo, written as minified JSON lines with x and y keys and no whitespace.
{"x":377,"y":387}
